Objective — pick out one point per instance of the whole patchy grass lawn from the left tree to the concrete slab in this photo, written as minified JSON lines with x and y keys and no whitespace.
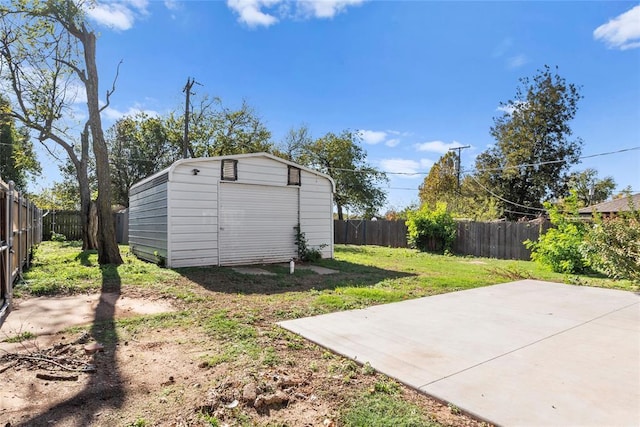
{"x":238,"y":313}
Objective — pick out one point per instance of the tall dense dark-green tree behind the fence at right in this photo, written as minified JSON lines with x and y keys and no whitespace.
{"x":533,"y":152}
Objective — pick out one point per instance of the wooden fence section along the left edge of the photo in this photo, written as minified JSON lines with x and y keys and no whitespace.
{"x":20,"y":230}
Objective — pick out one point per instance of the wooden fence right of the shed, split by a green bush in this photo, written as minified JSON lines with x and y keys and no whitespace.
{"x":501,"y":240}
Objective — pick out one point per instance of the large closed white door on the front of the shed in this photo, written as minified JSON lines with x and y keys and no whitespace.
{"x":256,"y":223}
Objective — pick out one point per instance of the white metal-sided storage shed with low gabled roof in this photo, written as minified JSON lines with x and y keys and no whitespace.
{"x":230,"y":210}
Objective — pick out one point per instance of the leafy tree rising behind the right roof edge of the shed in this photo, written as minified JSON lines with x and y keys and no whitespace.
{"x":343,"y":159}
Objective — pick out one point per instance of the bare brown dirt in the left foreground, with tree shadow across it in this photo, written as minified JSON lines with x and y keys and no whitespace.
{"x":164,"y":377}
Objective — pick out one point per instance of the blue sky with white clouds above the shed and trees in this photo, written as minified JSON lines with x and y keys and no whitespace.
{"x":416,"y":77}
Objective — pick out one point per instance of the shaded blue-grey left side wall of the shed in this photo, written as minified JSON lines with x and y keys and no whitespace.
{"x":148,"y":220}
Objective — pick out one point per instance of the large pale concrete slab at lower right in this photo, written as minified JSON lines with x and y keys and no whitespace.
{"x":527,"y":353}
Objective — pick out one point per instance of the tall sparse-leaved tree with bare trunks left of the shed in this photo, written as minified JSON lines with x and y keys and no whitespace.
{"x":48,"y":48}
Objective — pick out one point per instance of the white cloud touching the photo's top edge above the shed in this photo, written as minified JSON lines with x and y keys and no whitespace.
{"x":255,"y":13}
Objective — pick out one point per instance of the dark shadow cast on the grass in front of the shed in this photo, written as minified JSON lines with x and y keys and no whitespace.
{"x":227,"y":280}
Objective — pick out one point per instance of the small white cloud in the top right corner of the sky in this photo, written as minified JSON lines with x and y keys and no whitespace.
{"x":621,"y":32}
